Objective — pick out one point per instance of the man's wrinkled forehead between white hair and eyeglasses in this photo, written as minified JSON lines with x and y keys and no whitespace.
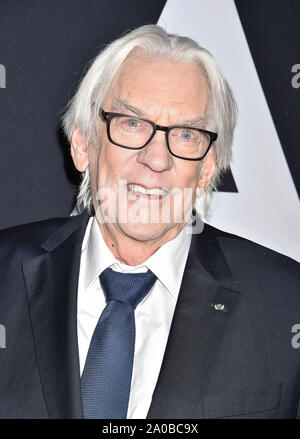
{"x":160,"y":81}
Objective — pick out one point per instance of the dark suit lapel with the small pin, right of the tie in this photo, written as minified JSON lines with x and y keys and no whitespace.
{"x":197,"y":331}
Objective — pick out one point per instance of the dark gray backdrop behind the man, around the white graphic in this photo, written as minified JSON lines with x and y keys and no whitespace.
{"x":44,"y":47}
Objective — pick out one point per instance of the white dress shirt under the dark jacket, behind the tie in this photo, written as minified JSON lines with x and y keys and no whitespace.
{"x":153,"y":314}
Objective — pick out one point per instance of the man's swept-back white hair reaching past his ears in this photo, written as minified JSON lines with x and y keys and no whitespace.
{"x":83,"y":110}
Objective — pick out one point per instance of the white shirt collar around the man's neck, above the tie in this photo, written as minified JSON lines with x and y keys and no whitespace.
{"x":167,"y":263}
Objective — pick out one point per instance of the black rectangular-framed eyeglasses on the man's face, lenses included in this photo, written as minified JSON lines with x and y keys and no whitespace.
{"x":132,"y":132}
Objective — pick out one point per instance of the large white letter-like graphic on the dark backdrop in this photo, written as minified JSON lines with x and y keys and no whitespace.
{"x":266,"y":209}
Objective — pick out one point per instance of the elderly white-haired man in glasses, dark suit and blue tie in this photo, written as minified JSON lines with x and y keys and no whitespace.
{"x":128,"y":309}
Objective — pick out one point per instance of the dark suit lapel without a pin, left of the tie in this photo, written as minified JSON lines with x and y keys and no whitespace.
{"x":51,"y":282}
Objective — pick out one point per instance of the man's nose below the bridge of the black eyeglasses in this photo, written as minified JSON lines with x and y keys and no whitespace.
{"x":156,"y":155}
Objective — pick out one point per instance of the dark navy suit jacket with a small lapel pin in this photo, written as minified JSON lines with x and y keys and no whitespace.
{"x":232,"y":362}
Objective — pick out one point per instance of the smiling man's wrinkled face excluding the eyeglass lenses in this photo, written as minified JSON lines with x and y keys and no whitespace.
{"x":167,"y":93}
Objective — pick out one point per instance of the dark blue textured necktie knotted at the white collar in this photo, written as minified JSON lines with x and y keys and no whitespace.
{"x":106,"y":378}
